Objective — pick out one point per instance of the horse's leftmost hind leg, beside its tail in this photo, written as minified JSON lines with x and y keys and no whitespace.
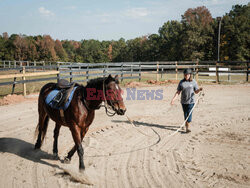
{"x":42,"y":129}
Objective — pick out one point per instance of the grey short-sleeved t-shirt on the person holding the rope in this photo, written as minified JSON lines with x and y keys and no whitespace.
{"x":187,"y":89}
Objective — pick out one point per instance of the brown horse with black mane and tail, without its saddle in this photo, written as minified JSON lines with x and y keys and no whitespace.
{"x":80,"y":113}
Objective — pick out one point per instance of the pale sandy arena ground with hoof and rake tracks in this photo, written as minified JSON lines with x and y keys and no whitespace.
{"x":215,"y":154}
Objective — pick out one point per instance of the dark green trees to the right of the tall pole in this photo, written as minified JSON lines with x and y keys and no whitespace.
{"x":235,"y":32}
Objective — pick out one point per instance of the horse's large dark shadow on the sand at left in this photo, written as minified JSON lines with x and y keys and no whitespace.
{"x":25,"y":150}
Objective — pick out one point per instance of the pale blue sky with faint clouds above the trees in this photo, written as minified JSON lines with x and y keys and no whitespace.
{"x":98,"y":19}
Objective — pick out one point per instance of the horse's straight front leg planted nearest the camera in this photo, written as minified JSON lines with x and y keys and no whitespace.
{"x":77,"y":136}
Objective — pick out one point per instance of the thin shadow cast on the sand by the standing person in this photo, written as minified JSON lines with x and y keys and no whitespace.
{"x":138,"y":123}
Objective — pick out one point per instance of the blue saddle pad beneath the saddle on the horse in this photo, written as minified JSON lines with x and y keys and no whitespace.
{"x":53,"y":93}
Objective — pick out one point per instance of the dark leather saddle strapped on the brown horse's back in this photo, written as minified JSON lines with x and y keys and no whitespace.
{"x":65,"y":88}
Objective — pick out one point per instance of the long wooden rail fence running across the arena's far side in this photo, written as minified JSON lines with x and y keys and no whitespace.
{"x":82,"y":72}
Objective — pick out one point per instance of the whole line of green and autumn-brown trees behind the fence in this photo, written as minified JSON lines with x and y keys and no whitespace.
{"x":194,"y":37}
